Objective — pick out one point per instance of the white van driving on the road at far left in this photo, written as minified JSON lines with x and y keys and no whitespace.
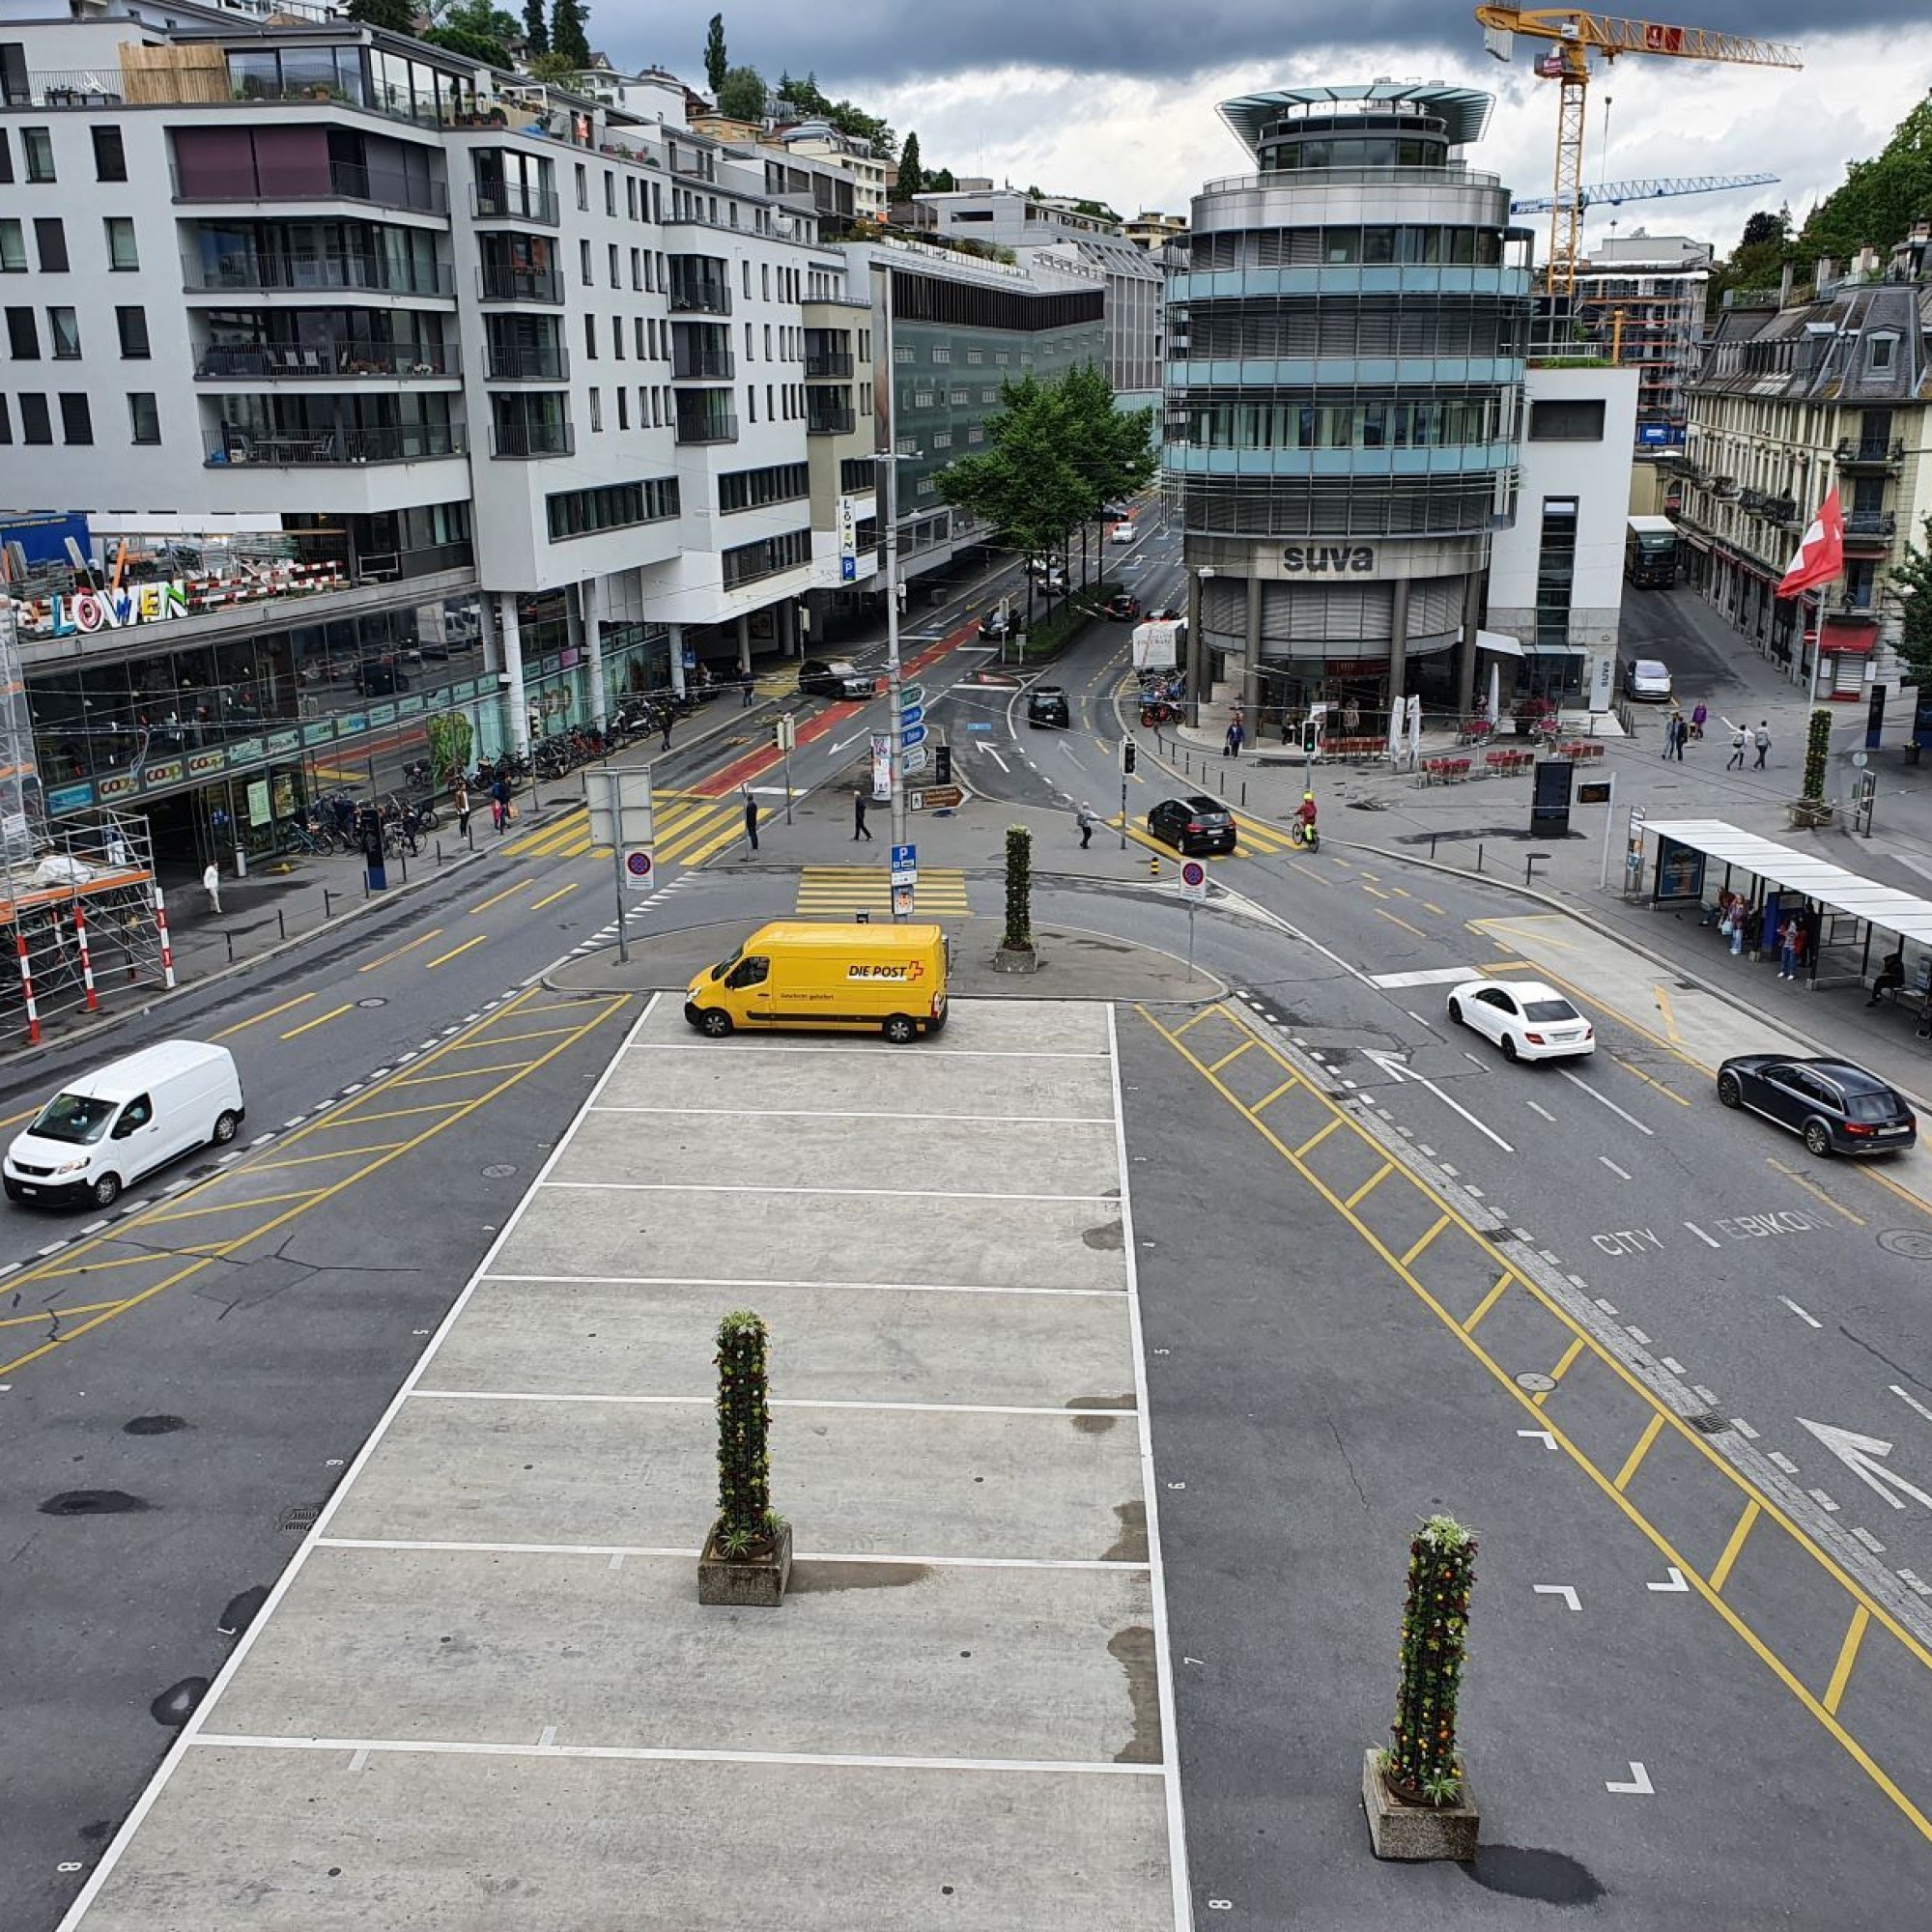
{"x":103,"y":1133}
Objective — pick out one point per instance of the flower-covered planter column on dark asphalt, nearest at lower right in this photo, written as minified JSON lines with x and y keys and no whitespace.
{"x":1417,"y":1790}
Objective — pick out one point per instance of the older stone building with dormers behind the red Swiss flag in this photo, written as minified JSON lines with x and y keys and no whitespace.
{"x":1798,"y":399}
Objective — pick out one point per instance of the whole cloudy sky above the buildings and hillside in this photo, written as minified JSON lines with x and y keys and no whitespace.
{"x":1116,"y":98}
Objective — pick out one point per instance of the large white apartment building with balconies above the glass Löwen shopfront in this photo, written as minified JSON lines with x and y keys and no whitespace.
{"x":374,"y":391}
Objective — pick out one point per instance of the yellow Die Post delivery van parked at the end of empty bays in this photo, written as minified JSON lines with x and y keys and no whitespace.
{"x":828,"y":979}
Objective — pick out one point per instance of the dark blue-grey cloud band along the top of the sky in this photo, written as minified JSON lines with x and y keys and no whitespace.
{"x":853,"y":42}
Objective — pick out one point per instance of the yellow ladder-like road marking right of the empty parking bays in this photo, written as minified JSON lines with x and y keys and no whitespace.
{"x":1707,"y":1587}
